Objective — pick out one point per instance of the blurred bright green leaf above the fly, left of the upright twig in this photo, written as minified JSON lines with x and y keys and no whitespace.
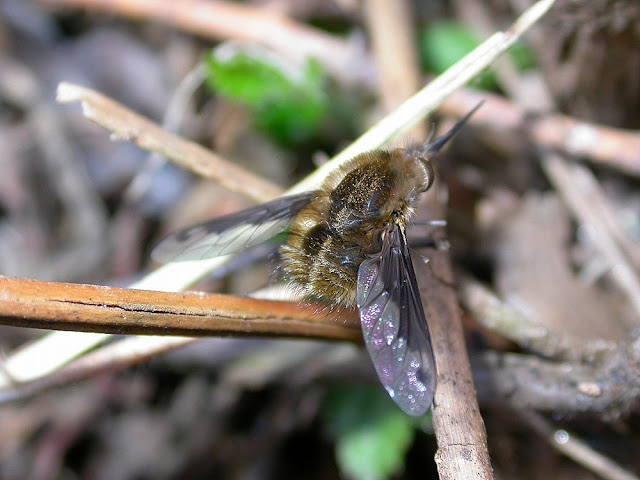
{"x":289,"y":104}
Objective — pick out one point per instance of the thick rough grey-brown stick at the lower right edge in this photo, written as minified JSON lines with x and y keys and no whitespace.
{"x":608,"y":386}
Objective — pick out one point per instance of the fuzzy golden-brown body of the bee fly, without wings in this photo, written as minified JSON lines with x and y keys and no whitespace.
{"x":345,"y":223}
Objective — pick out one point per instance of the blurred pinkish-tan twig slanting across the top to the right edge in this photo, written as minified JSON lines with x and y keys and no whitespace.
{"x":612,"y":147}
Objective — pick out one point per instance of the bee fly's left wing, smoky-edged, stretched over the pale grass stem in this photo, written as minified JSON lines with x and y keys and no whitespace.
{"x":231,"y":233}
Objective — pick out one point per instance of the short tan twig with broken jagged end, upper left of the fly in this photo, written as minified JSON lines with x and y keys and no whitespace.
{"x":128,"y":125}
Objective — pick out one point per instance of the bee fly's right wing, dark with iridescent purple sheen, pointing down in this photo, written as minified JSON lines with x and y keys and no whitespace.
{"x":394,"y":325}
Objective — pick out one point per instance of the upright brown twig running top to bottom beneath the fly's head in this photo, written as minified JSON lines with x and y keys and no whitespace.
{"x":459,"y":428}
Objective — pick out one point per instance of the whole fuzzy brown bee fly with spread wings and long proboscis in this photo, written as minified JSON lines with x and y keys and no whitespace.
{"x":347,"y":246}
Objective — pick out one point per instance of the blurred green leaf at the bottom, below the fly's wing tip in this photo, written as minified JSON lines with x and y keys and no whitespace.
{"x":372,"y":434}
